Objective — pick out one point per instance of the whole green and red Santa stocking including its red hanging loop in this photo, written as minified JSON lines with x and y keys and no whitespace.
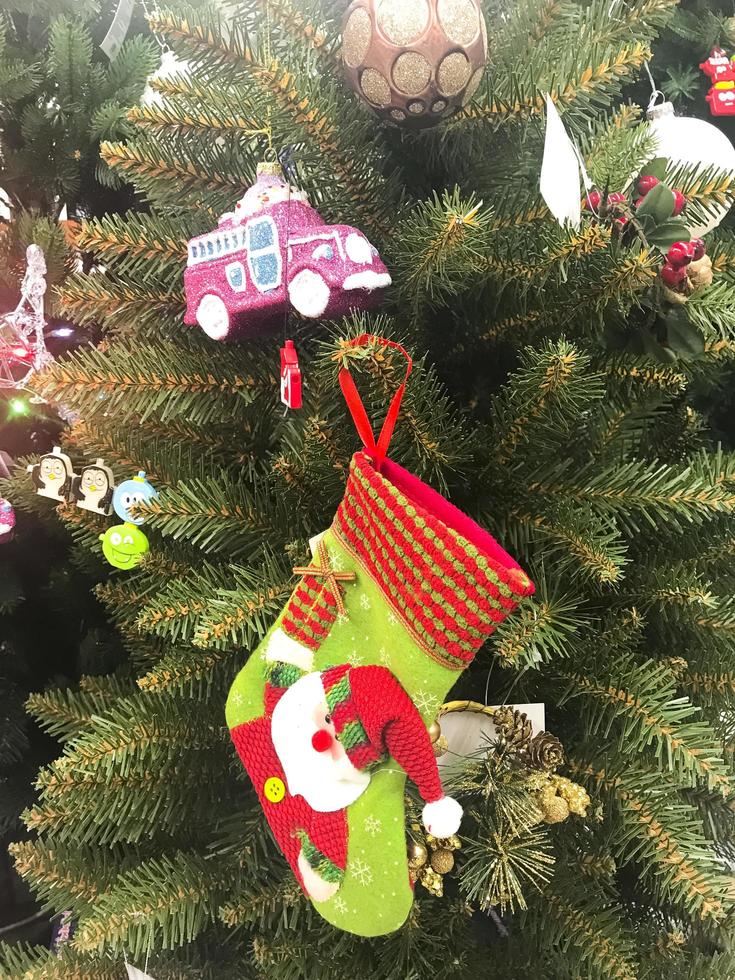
{"x":331,"y":715}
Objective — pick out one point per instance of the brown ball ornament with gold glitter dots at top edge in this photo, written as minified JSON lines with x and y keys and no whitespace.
{"x":414,"y":62}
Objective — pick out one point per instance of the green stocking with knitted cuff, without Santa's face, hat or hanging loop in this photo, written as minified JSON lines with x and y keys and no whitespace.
{"x":419,"y":586}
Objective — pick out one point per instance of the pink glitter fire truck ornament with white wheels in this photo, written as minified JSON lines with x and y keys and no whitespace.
{"x":272,"y":251}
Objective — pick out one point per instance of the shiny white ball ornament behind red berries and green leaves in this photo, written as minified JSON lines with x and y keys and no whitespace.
{"x":694,"y":142}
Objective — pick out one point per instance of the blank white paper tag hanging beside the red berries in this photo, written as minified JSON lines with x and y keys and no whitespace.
{"x":560,"y":183}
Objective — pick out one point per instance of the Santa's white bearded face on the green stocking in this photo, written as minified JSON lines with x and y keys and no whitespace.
{"x":314,"y":761}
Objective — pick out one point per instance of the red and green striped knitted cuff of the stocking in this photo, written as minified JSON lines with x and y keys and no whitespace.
{"x":448,"y":580}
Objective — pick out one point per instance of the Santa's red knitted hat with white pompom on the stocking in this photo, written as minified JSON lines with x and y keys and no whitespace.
{"x":373,"y":717}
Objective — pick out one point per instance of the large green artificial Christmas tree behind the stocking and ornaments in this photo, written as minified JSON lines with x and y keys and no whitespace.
{"x":552,"y":401}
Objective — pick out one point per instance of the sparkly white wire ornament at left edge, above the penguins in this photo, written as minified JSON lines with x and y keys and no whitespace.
{"x":22,"y":342}
